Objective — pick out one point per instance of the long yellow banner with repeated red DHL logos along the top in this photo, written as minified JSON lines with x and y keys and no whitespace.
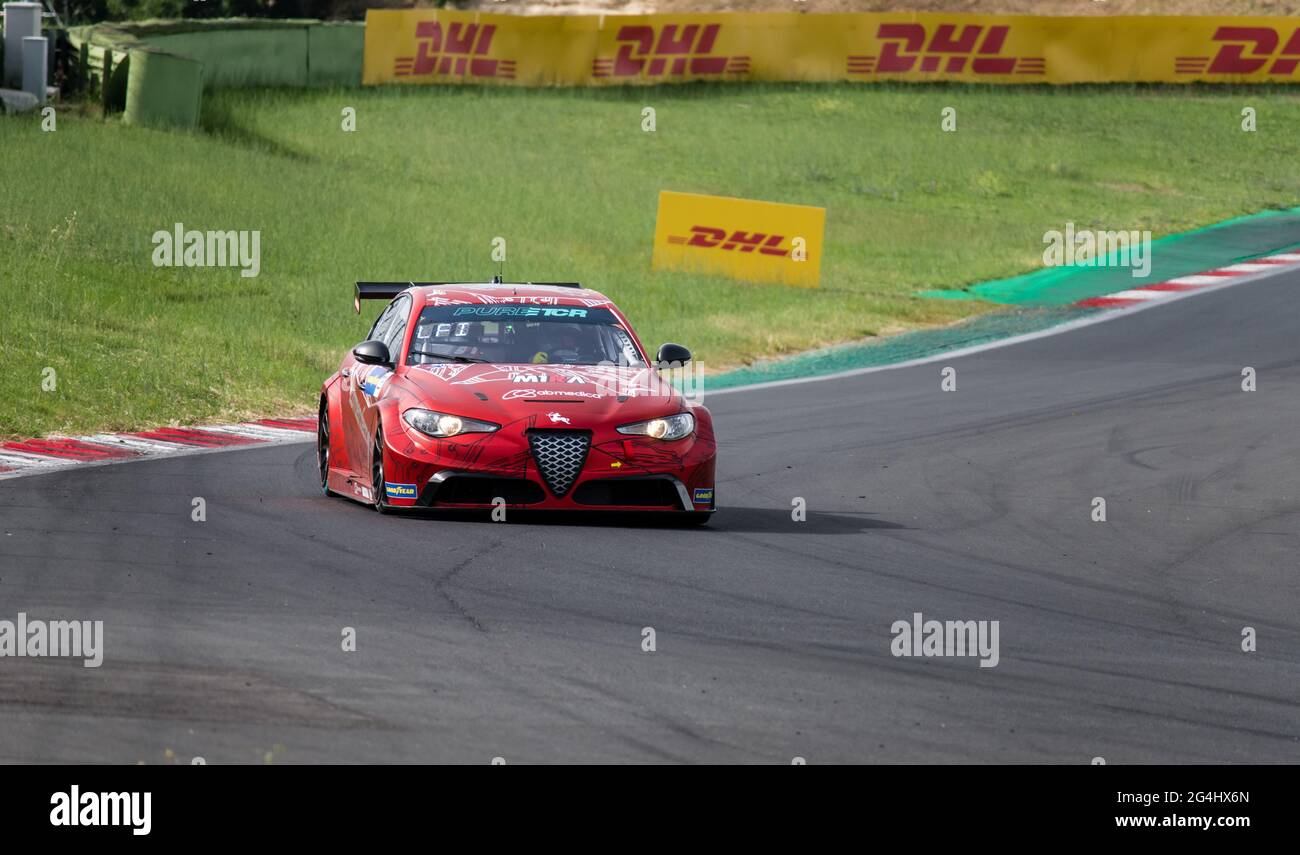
{"x":427,"y":46}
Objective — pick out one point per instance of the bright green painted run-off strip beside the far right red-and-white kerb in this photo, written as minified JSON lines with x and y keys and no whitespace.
{"x":1173,"y":257}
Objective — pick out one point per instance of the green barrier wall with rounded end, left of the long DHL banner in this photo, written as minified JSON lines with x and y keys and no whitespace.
{"x":155,"y":72}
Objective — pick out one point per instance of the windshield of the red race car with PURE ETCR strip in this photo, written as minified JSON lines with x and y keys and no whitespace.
{"x":519,"y":335}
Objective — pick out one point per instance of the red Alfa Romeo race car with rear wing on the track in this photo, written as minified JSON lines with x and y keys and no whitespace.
{"x":536,"y":396}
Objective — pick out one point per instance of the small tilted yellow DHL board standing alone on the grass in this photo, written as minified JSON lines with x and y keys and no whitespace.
{"x":746,"y":240}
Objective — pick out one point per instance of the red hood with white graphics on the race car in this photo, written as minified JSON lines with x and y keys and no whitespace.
{"x":583,"y":394}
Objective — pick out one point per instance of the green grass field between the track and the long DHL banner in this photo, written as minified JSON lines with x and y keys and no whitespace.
{"x":570,"y":180}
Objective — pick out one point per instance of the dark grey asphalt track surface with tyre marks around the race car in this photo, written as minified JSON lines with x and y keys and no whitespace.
{"x":476,"y":640}
